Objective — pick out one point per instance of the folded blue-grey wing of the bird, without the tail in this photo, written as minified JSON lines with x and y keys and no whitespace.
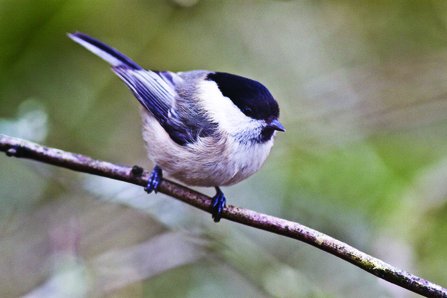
{"x":156,"y":92}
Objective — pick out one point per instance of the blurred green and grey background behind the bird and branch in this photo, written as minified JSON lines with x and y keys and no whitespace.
{"x":362,"y":87}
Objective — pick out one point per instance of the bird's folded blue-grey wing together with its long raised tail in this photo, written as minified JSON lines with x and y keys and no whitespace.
{"x":156,"y":91}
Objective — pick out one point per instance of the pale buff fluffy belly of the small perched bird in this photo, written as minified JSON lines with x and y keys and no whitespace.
{"x":207,"y":163}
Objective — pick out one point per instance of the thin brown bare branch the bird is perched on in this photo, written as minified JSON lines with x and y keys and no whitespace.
{"x":136,"y":175}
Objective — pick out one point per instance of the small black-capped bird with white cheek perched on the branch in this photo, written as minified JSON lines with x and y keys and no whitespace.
{"x":201,"y":127}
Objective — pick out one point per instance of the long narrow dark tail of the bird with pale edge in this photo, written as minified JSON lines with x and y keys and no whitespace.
{"x":107,"y":53}
